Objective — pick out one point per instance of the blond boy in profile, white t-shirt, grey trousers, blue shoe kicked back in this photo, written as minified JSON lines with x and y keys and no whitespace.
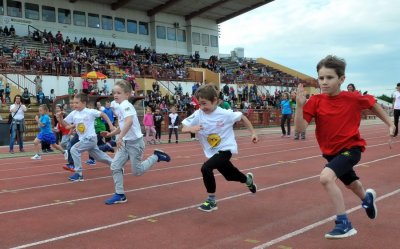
{"x":130,"y":144}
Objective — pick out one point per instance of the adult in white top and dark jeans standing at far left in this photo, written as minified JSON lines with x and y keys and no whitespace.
{"x":17,"y":126}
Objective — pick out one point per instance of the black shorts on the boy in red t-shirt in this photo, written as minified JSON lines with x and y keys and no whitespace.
{"x":342,"y":164}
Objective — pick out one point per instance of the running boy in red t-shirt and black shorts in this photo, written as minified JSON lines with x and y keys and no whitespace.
{"x":337,"y":117}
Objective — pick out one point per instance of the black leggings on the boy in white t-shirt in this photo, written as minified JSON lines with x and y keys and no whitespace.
{"x":221,"y":162}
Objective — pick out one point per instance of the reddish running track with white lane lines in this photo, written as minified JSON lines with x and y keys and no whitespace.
{"x":40,"y":208}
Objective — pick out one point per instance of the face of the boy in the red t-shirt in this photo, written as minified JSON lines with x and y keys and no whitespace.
{"x":329,"y":81}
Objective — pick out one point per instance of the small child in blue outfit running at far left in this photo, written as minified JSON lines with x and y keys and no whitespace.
{"x":45,"y":134}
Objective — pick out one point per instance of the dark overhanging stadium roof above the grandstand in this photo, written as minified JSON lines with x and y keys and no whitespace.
{"x":218,"y":10}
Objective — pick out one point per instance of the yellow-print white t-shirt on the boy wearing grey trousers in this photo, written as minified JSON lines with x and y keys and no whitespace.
{"x":84,"y":122}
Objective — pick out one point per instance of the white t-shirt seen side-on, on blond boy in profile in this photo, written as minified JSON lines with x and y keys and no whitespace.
{"x":125,"y":110}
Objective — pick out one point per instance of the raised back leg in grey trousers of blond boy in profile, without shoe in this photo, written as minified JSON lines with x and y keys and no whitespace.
{"x":135,"y":150}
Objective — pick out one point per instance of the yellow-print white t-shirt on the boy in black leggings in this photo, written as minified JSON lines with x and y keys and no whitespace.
{"x":217,"y":133}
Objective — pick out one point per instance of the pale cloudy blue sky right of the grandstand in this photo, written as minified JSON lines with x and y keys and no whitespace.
{"x":299,"y":33}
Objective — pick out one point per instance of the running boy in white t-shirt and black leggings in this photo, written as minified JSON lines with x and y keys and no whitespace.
{"x":214,"y":126}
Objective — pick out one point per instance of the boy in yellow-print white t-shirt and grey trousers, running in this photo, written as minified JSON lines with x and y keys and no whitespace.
{"x":83,"y":119}
